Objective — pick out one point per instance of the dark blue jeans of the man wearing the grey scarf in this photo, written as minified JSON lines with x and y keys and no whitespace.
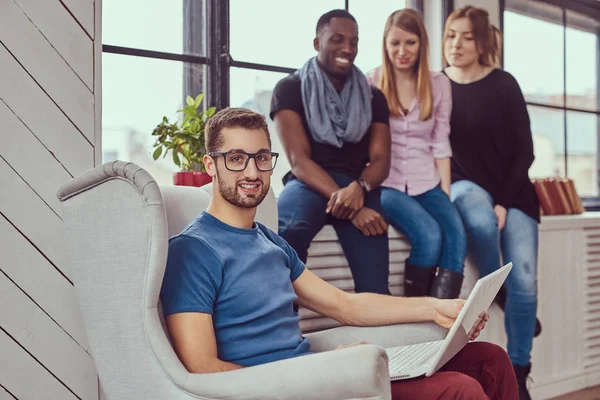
{"x":302,"y":215}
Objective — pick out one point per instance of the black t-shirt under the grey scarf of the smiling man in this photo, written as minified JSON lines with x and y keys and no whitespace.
{"x":351,"y":158}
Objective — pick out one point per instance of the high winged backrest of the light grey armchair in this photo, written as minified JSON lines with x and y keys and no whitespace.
{"x":117,"y":234}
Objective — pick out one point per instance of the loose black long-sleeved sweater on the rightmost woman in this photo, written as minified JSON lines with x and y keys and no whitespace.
{"x":491,"y":140}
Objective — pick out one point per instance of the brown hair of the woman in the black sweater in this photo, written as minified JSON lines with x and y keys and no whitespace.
{"x":487,"y":38}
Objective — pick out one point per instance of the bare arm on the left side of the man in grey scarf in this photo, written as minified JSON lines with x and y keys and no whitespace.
{"x":297,"y":148}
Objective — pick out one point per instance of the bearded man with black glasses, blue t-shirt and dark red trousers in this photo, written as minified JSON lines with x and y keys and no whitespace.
{"x":230,"y":283}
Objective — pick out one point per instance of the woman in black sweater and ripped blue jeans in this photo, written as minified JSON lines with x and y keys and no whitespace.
{"x":492,"y":152}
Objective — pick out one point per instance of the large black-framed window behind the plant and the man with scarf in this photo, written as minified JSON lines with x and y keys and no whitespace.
{"x":158,"y":51}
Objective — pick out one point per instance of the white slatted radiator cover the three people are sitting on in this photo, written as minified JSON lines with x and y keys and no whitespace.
{"x":566,"y":356}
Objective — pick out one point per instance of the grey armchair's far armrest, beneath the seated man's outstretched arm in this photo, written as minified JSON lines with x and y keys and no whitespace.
{"x":385,"y":336}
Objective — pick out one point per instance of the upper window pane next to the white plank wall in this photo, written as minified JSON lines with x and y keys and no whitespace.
{"x":155,"y":25}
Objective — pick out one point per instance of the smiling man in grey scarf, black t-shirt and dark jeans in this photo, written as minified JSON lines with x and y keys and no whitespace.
{"x":334,"y":129}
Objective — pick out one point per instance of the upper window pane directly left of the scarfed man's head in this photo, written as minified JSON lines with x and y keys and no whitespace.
{"x":285,"y":38}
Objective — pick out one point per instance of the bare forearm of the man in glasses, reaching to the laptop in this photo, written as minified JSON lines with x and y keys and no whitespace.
{"x":368,"y":309}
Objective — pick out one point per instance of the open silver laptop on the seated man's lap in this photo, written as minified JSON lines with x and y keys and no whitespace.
{"x":424,"y":359}
